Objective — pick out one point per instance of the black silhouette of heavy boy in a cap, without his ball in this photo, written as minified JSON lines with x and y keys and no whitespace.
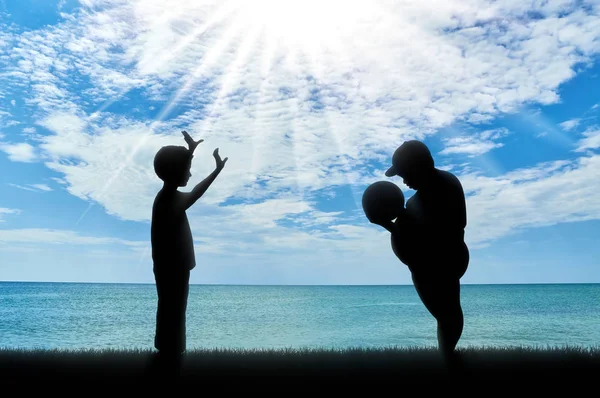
{"x":430,"y":237}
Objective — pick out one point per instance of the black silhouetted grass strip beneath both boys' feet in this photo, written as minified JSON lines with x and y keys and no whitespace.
{"x":293,"y":369}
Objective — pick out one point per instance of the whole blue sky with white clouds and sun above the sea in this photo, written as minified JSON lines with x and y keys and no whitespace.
{"x":308,"y":100}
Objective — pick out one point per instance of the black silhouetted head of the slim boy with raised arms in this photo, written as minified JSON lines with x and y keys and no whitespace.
{"x":172,"y":165}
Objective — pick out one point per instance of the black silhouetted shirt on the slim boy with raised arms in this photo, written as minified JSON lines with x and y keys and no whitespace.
{"x":171,"y":236}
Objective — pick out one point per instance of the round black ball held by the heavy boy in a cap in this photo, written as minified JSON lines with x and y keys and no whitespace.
{"x":382,"y":201}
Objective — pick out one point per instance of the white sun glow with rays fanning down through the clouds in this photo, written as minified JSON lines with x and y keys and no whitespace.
{"x":296,"y":38}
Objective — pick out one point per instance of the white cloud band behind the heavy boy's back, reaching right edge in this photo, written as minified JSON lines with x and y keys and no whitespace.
{"x":547,"y":194}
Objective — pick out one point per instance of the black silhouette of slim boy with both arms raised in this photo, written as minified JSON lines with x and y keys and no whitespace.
{"x":172,"y":243}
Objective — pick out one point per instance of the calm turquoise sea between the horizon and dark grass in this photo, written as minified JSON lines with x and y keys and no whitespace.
{"x":72,"y":315}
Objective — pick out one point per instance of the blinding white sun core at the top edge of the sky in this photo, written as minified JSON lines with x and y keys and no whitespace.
{"x":305,"y":24}
